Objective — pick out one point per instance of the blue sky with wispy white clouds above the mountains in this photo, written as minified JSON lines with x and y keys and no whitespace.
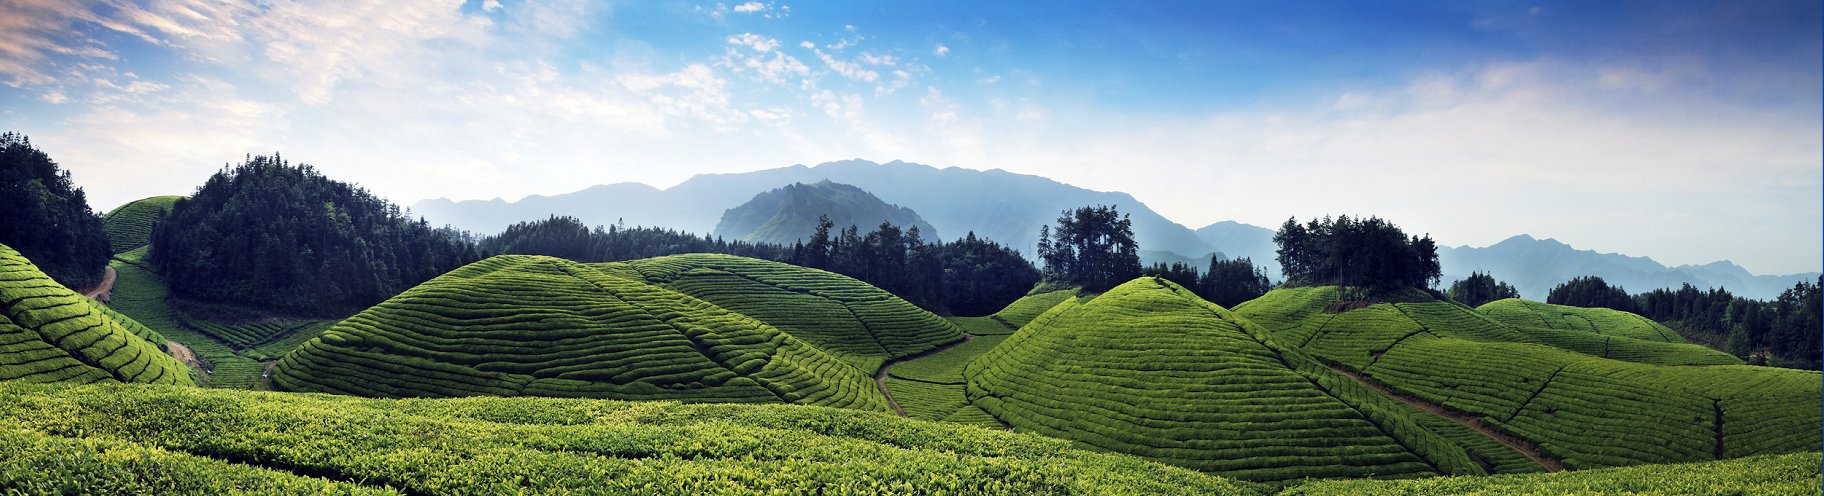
{"x":1686,"y":132}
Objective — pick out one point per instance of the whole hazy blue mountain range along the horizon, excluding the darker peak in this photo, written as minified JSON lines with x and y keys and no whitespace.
{"x":1011,"y":207}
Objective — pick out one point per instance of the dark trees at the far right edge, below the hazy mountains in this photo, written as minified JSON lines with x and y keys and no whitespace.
{"x":1781,"y":333}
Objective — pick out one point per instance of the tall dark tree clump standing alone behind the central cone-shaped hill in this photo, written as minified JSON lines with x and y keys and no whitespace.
{"x":1093,"y":247}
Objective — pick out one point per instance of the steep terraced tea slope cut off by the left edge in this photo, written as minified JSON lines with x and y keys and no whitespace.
{"x":50,"y":335}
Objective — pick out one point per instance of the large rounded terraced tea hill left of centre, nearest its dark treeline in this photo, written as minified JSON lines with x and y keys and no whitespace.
{"x":521,"y":325}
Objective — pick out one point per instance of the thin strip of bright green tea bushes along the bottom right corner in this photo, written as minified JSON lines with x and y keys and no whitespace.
{"x":1776,"y":475}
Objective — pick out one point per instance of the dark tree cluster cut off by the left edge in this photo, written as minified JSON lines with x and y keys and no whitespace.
{"x":47,"y":218}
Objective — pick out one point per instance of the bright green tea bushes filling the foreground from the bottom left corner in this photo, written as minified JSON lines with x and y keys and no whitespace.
{"x":125,"y":440}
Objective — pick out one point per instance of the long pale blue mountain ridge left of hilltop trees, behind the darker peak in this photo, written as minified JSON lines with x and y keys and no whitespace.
{"x":997,"y":205}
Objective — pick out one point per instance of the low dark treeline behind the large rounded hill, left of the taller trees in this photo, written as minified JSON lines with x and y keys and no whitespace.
{"x":570,"y":240}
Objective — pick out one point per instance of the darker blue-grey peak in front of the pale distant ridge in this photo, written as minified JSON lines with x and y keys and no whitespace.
{"x":791,"y":214}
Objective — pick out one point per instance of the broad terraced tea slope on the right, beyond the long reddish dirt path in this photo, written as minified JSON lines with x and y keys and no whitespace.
{"x":1580,"y":409}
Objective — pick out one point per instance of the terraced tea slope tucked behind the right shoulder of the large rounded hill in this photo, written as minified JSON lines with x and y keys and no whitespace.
{"x":847,"y":318}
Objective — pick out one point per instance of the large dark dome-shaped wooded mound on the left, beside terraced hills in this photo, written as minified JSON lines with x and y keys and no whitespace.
{"x":276,"y":236}
